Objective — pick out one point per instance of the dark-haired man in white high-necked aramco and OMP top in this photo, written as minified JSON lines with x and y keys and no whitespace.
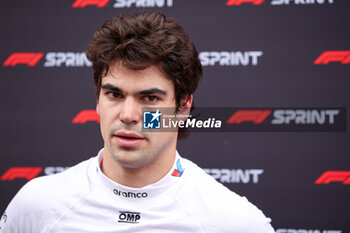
{"x":137,"y":182}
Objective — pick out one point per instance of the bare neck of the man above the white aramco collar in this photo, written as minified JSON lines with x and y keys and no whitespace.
{"x":141,"y":176}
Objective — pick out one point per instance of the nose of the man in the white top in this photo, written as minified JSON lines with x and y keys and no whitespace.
{"x":130,"y":112}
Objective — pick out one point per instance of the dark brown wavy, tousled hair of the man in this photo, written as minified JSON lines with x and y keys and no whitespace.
{"x":143,"y":39}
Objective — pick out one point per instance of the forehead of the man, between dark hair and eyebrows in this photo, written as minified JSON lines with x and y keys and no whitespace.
{"x":129,"y":79}
